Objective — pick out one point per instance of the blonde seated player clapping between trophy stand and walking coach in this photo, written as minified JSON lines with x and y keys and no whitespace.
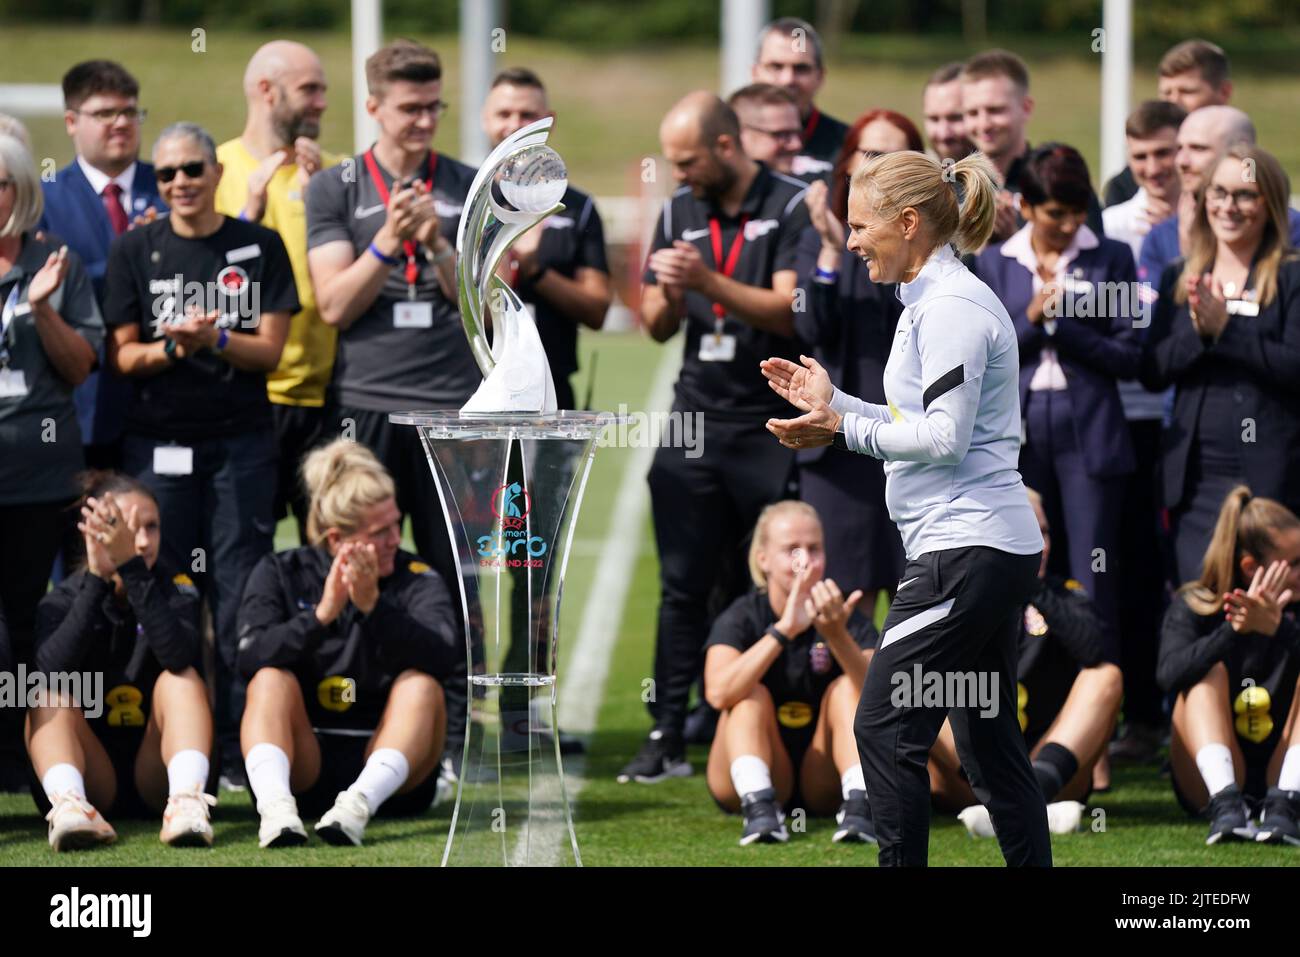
{"x":785,"y":665}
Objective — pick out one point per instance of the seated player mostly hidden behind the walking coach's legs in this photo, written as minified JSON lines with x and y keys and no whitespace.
{"x":1069,"y":699}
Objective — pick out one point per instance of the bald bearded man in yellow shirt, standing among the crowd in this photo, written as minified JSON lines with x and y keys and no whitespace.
{"x":266,"y":179}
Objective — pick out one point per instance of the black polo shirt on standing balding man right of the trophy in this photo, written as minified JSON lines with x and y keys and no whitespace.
{"x":775,"y":216}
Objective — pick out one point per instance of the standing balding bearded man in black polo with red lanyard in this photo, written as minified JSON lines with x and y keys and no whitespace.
{"x":722,"y":266}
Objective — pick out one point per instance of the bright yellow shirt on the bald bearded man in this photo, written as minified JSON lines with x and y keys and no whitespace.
{"x":307,"y":362}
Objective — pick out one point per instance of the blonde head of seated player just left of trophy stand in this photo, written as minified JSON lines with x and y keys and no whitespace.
{"x":343,"y":479}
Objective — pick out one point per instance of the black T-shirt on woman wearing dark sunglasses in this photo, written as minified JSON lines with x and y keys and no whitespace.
{"x":153,"y":274}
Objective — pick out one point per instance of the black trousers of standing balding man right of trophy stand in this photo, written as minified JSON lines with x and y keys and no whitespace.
{"x":705,"y":509}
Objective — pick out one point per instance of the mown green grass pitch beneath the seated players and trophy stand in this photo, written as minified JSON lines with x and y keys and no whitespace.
{"x":670,"y":824}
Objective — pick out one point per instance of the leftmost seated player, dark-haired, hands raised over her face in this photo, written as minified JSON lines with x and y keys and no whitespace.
{"x":137,"y":743}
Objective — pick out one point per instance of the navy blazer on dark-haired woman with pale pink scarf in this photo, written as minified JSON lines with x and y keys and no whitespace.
{"x":1093,"y":352}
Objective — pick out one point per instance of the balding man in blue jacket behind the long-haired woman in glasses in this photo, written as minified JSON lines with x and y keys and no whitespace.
{"x":1204,"y":135}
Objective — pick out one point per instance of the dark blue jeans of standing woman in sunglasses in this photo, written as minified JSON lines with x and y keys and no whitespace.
{"x":216,"y":526}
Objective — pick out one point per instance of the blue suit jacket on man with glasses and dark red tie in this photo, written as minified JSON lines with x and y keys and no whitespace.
{"x":76,"y":214}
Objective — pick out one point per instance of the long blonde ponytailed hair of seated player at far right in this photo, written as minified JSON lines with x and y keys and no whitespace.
{"x":1245,"y":526}
